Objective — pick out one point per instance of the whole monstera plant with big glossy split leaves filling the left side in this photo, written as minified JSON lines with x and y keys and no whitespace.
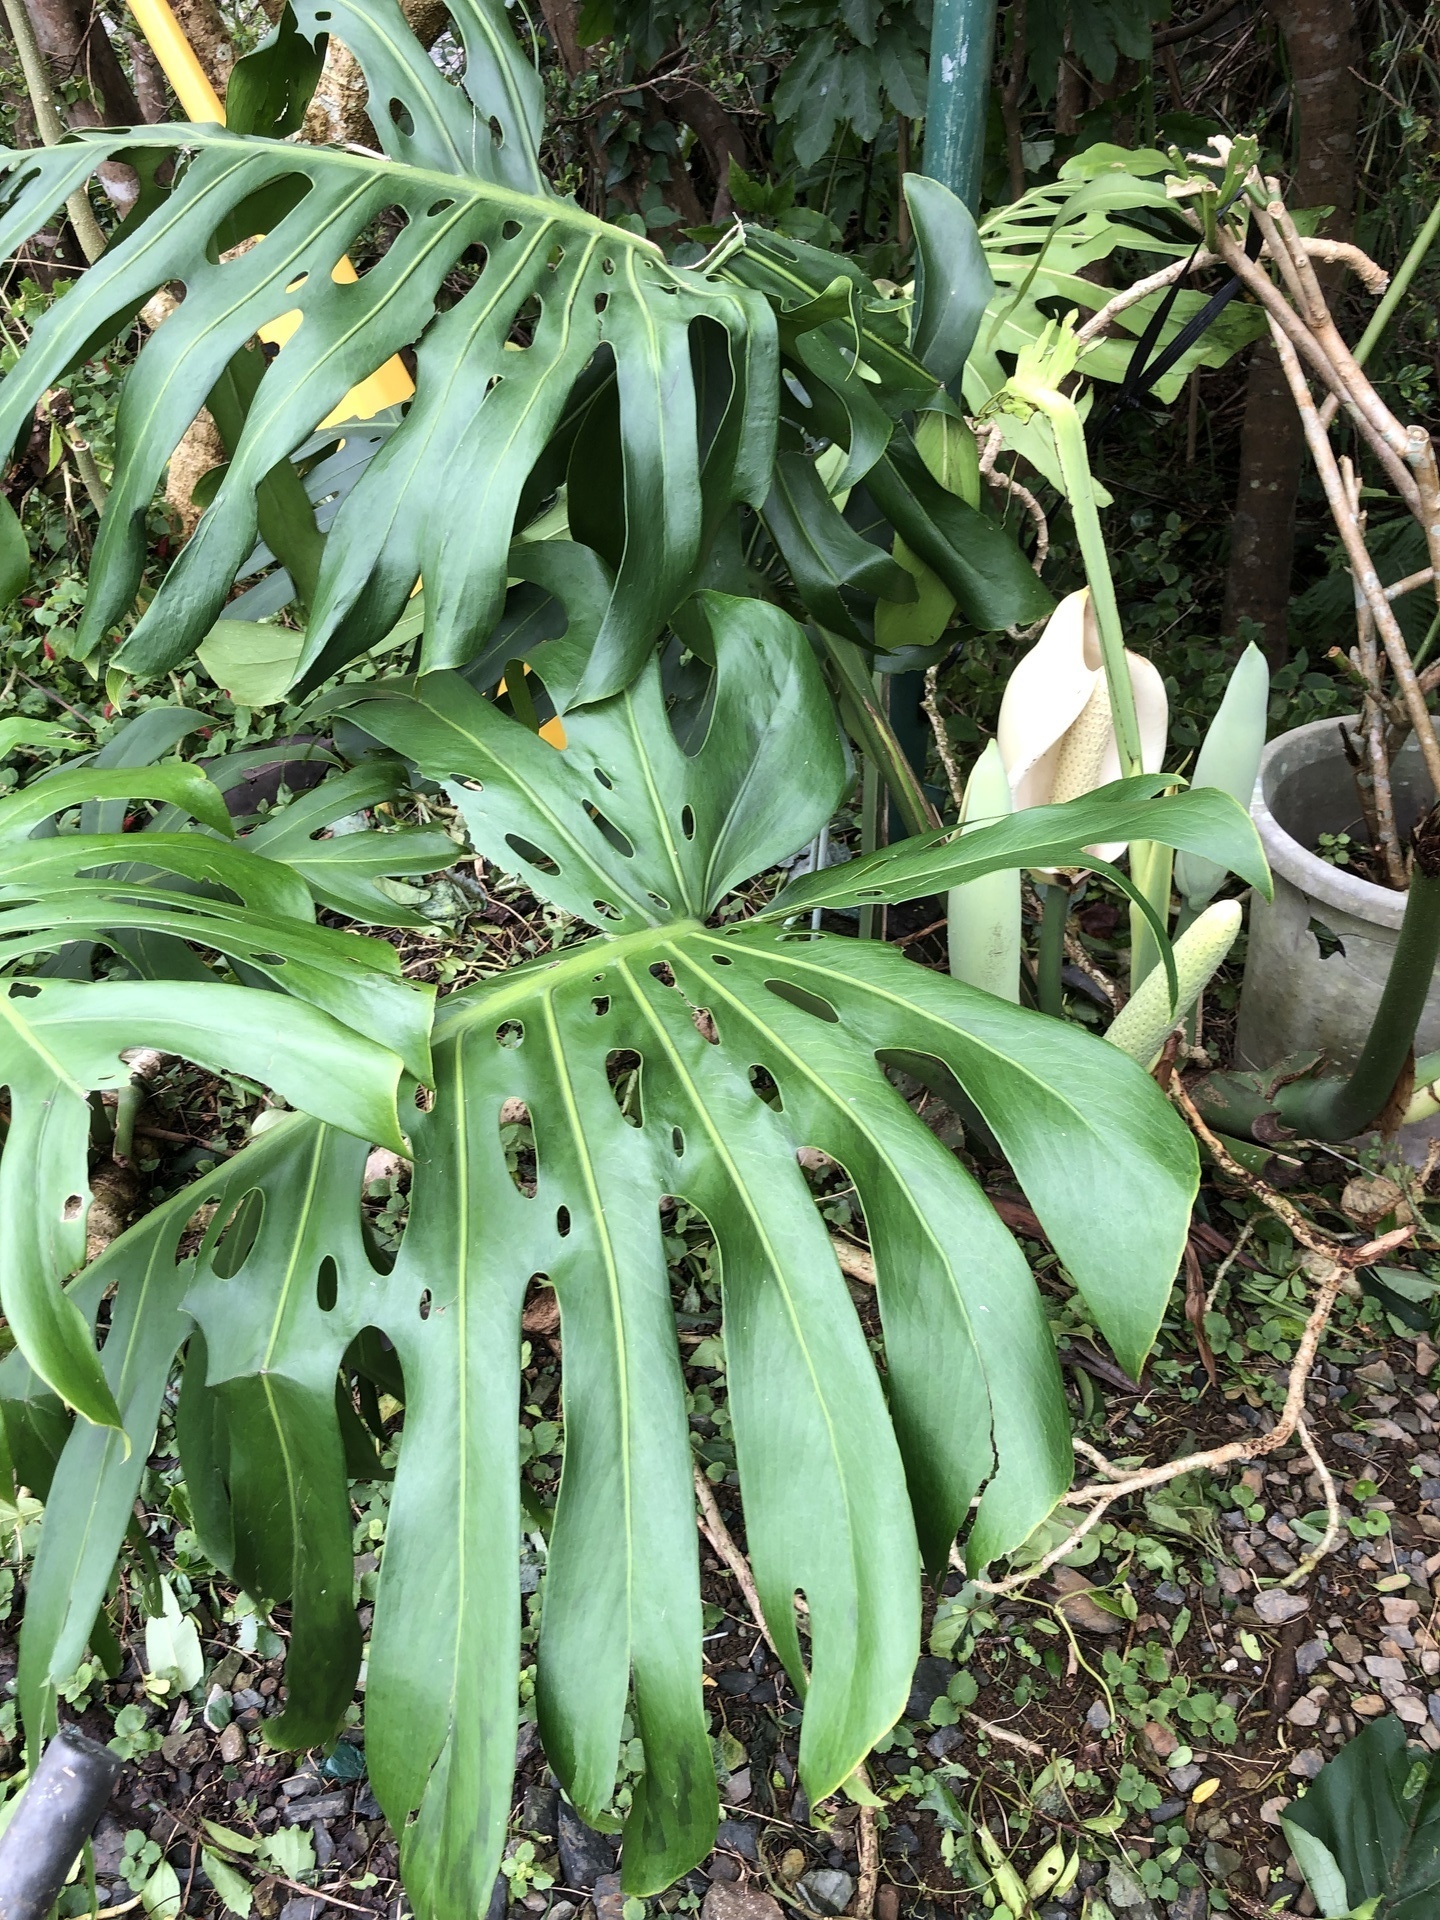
{"x":575,"y":383}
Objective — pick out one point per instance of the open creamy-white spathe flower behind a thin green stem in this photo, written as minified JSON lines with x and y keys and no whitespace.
{"x":1057,"y":736}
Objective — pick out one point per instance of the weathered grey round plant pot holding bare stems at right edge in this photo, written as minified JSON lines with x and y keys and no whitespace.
{"x":1320,"y":953}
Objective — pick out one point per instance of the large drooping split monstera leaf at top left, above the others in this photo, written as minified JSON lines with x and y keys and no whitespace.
{"x":569,"y":322}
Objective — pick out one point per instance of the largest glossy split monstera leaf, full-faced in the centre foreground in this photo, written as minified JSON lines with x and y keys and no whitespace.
{"x":846,"y":1487}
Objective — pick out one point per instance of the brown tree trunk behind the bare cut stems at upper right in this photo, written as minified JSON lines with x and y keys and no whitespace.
{"x":1320,"y":37}
